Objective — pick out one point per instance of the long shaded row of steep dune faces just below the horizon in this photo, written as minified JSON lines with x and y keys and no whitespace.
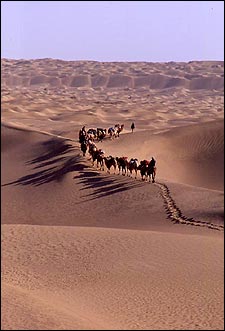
{"x":154,"y":81}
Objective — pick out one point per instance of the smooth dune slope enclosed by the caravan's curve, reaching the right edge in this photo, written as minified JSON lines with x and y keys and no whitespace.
{"x":194,"y":151}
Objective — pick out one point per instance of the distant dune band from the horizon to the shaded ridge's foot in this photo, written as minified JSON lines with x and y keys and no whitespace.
{"x":113,"y":74}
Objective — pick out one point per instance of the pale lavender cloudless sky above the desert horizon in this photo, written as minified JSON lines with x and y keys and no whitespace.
{"x":152,"y":31}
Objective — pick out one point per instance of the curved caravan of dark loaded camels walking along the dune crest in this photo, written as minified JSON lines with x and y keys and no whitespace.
{"x":127,"y":167}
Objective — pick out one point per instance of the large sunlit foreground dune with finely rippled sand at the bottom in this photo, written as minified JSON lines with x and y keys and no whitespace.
{"x":94,"y":278}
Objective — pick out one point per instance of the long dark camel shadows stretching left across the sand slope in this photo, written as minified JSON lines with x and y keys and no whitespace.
{"x":57,"y":166}
